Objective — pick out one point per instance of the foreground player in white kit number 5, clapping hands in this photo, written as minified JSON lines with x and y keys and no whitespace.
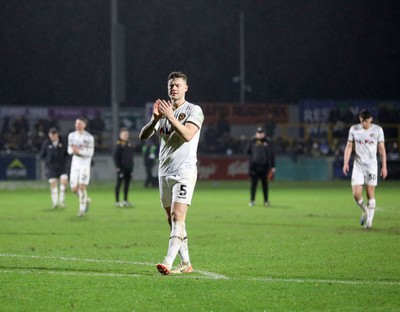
{"x":178,"y":123}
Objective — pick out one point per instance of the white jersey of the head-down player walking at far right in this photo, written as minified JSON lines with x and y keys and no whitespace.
{"x":366,"y":143}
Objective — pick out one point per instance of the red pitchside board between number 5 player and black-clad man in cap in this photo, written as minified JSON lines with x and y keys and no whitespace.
{"x":223,"y":168}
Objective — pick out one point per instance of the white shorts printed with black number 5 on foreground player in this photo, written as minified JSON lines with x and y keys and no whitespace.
{"x":177,"y":188}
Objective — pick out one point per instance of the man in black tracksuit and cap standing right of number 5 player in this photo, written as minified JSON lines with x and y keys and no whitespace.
{"x":261,"y":164}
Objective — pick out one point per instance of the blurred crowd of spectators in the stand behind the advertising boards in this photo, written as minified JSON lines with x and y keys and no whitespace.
{"x":322,"y":139}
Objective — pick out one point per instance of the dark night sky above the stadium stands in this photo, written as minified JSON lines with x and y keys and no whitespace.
{"x":56,"y":52}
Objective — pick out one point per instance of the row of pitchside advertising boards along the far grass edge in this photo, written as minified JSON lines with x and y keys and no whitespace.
{"x":19,"y":166}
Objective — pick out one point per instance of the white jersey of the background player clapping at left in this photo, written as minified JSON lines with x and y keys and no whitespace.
{"x":85,"y":142}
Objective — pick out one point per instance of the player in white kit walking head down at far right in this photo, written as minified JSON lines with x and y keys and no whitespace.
{"x":368,"y":138}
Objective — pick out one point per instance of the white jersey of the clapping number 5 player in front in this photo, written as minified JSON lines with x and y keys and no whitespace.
{"x":177,"y":156}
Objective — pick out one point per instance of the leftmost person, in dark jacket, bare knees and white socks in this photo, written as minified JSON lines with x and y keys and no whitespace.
{"x":55,"y":156}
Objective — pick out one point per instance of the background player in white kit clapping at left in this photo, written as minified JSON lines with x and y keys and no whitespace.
{"x":81,"y":147}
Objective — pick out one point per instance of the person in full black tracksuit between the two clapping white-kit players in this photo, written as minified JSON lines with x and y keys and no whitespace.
{"x":123,"y":160}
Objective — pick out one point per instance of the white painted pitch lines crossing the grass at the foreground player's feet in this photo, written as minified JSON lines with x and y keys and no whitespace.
{"x":206,"y":275}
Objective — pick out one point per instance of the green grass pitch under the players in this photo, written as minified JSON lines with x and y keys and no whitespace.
{"x":306,"y":252}
